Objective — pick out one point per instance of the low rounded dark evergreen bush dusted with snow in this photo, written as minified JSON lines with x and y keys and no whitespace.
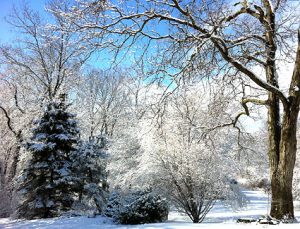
{"x":137,"y":208}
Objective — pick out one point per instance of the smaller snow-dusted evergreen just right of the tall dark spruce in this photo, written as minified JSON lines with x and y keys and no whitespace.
{"x":89,"y":164}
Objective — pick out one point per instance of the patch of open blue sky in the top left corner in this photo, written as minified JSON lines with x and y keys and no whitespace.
{"x":6,"y":34}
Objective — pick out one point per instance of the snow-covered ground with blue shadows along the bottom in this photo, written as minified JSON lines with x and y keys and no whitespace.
{"x":219,"y":217}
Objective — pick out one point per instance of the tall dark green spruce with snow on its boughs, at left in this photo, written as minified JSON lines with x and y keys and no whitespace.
{"x":47,"y":182}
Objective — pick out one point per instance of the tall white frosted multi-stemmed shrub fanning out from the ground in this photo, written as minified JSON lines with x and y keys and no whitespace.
{"x":190,"y":159}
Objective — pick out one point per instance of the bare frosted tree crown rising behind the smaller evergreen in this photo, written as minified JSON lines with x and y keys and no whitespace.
{"x":101,"y":101}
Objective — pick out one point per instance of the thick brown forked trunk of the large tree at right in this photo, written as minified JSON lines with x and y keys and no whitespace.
{"x":283,"y":156}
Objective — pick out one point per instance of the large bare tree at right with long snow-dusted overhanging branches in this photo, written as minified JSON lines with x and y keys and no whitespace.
{"x":182,"y":38}
